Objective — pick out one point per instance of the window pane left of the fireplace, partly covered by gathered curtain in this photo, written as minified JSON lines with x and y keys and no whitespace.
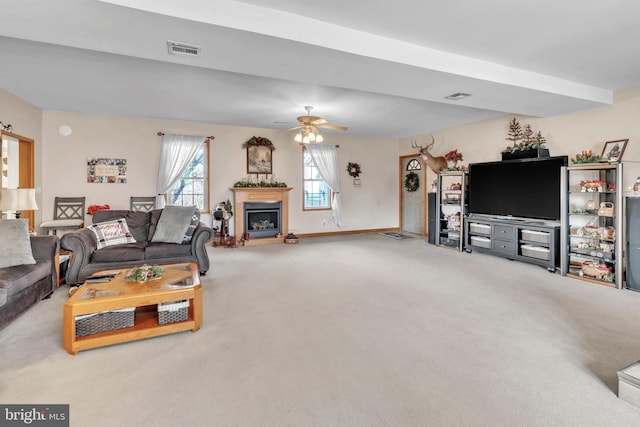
{"x":192,"y":189}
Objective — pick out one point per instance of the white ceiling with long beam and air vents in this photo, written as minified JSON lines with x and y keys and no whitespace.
{"x":381,"y":68}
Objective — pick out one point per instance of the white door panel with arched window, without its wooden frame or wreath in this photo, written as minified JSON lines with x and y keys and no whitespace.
{"x":413,"y":203}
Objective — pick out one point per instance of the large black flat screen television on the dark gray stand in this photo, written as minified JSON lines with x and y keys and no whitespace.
{"x":527,"y":188}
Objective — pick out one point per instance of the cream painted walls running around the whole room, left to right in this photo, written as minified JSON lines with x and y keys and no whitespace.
{"x":61,"y":161}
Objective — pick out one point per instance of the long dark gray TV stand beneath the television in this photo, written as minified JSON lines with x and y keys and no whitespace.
{"x":521,"y":239}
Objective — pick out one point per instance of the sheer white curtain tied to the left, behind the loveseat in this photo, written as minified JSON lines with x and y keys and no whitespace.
{"x":178,"y":151}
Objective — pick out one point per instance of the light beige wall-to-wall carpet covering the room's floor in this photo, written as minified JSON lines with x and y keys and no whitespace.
{"x":350,"y":330}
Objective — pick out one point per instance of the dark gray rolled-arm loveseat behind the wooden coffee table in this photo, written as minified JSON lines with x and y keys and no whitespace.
{"x":140,"y":247}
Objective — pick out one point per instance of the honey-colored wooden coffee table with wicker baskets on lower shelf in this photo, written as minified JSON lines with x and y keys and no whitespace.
{"x":179,"y":282}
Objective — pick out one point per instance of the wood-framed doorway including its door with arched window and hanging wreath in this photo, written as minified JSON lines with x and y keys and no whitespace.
{"x":412,"y":197}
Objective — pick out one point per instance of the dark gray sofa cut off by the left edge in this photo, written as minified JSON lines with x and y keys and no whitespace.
{"x":21,"y":286}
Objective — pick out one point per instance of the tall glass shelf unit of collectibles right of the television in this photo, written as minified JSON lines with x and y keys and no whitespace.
{"x":592,"y":209}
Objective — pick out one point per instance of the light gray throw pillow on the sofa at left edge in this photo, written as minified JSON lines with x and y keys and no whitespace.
{"x":15,"y":244}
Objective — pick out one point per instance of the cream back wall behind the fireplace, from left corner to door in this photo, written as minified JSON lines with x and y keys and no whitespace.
{"x":373,"y":205}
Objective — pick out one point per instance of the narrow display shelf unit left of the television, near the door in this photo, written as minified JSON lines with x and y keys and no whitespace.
{"x":451,"y":208}
